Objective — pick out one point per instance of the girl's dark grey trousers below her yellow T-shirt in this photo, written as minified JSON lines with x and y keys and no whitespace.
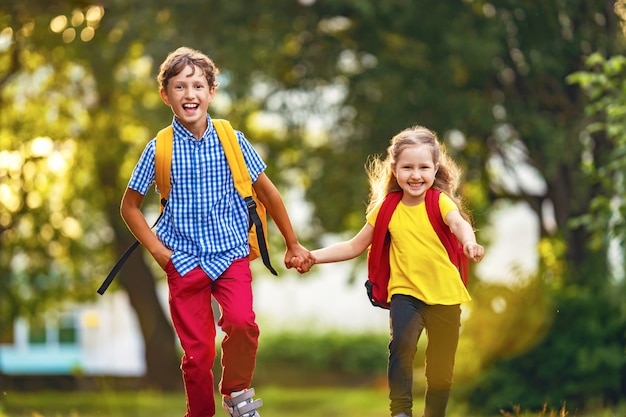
{"x":408,"y":317}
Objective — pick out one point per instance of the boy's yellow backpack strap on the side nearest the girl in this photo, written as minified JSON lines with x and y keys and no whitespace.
{"x":243,"y":183}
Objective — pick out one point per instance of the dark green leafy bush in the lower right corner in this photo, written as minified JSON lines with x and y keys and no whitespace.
{"x":580,"y":362}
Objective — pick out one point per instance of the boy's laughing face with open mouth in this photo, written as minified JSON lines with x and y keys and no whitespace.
{"x":188,"y":94}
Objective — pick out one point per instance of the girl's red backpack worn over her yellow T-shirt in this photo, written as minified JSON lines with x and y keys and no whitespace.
{"x":378,"y":255}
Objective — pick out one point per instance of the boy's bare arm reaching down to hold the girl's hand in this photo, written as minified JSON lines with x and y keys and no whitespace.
{"x":270,"y":197}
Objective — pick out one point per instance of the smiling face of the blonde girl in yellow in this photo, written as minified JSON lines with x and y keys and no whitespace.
{"x":415,"y":172}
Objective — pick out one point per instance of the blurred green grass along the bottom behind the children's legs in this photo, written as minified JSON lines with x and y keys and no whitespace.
{"x":278,"y":401}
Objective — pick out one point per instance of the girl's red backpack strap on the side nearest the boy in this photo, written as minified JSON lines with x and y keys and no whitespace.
{"x":378,"y":255}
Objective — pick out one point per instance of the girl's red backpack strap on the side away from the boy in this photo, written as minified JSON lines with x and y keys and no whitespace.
{"x":450,"y":242}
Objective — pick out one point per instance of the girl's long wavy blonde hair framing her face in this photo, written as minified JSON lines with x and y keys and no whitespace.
{"x":381,"y":171}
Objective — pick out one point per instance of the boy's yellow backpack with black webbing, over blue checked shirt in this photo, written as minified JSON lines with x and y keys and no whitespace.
{"x":257,"y":235}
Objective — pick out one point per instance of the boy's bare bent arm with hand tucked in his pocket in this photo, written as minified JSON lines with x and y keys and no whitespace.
{"x":131,"y":213}
